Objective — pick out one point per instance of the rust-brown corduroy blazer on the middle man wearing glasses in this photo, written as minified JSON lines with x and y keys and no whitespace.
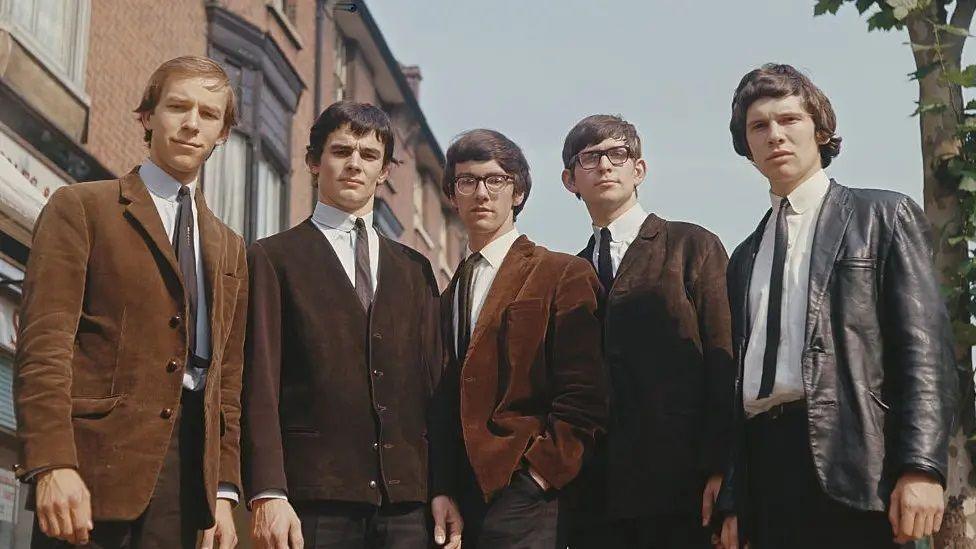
{"x":532,"y":389}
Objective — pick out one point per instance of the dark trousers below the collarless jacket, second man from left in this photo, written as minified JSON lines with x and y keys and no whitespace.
{"x":348,"y":525}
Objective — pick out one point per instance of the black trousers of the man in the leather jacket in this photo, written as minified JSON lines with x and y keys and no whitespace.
{"x":788,"y":508}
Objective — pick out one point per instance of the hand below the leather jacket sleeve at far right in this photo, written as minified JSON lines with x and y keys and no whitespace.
{"x":916,"y":507}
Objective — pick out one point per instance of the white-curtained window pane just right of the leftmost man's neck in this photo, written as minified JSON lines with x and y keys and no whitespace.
{"x":225,"y":181}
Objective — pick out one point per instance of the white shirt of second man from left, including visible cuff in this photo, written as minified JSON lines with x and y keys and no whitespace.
{"x":339,"y":228}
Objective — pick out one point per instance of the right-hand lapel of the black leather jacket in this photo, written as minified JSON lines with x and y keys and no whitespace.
{"x":835,"y":214}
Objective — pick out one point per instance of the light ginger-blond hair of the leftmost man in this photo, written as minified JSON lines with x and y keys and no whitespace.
{"x":188,"y":66}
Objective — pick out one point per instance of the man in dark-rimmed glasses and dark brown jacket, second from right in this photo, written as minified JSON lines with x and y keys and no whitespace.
{"x":667,"y":342}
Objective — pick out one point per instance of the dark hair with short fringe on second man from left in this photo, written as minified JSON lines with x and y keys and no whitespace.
{"x":362,"y":119}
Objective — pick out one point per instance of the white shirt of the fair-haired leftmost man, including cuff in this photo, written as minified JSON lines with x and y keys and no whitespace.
{"x":163,"y":190}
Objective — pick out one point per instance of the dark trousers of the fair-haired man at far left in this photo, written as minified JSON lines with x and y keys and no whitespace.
{"x":178,"y":507}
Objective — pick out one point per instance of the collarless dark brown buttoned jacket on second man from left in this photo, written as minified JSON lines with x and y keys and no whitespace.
{"x":335,"y":399}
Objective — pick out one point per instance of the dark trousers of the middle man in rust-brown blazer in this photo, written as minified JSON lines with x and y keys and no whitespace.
{"x":520,"y":516}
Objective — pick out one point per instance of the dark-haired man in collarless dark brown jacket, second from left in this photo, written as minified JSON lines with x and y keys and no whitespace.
{"x":342,"y":356}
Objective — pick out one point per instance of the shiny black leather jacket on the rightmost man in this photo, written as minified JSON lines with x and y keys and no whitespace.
{"x":878,"y":367}
